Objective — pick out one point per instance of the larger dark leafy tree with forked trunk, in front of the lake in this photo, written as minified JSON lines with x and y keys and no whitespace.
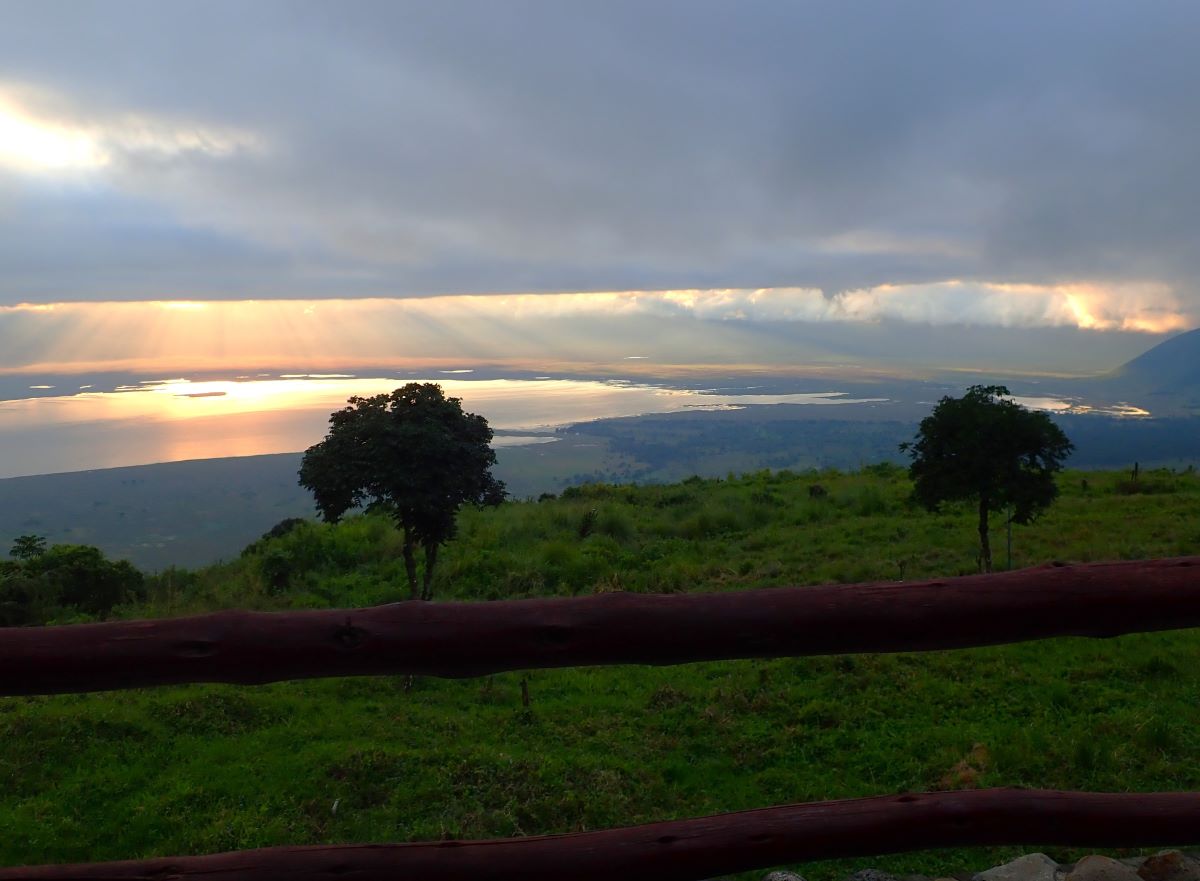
{"x":413,"y":454}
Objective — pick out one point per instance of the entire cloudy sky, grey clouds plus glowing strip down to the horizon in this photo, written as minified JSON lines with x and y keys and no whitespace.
{"x":301,"y":184}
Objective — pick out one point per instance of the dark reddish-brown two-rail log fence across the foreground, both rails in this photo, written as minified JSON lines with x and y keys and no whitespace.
{"x":459,"y":640}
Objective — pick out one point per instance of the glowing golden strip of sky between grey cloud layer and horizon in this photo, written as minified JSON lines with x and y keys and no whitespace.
{"x":1028,"y":329}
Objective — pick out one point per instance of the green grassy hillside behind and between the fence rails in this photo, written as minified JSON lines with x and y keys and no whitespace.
{"x":207,"y":769}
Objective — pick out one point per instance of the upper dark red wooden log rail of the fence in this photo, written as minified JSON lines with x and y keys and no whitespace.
{"x":475,"y":639}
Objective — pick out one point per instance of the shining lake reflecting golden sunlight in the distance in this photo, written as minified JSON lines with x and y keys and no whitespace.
{"x":56,"y":424}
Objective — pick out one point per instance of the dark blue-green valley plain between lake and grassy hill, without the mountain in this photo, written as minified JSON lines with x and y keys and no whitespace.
{"x":190,"y":514}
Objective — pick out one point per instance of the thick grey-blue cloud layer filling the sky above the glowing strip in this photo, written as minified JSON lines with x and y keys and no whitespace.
{"x":388,"y":148}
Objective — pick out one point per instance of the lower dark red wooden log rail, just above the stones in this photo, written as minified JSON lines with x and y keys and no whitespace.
{"x":685,"y":850}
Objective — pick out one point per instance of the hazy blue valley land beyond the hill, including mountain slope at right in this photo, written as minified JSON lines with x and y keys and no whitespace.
{"x":193,"y":513}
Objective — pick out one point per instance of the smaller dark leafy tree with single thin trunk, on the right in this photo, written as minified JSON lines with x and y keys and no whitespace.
{"x":987,"y":447}
